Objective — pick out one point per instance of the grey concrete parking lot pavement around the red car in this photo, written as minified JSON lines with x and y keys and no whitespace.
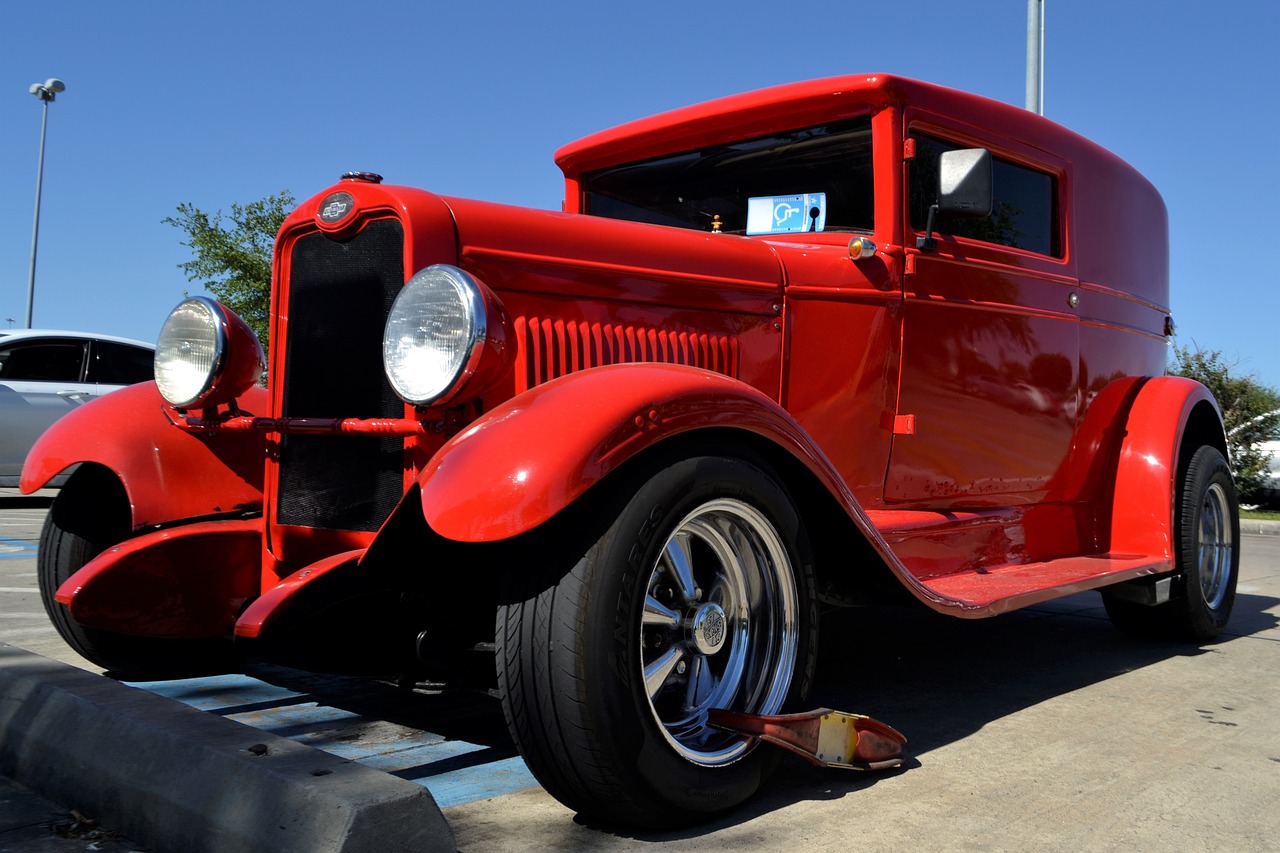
{"x":1040,"y":731}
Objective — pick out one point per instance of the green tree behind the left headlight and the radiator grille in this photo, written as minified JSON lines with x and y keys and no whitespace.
{"x":234,"y":261}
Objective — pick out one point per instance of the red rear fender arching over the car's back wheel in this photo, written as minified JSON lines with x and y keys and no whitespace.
{"x":1146,"y":485}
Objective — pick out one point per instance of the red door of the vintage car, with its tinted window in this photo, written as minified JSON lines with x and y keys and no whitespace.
{"x":990,"y":372}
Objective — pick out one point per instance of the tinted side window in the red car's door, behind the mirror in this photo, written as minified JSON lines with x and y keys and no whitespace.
{"x":1025,"y":213}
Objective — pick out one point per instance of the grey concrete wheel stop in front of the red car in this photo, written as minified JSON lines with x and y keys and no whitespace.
{"x":180,"y":779}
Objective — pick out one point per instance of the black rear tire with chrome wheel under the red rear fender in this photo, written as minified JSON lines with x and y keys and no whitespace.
{"x":1208,"y":559}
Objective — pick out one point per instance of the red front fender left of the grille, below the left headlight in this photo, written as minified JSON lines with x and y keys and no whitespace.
{"x":168,"y":473}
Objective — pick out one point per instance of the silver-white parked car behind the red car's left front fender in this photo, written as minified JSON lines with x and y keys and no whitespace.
{"x":45,"y":373}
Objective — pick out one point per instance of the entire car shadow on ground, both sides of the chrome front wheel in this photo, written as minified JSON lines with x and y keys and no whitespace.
{"x":935,"y":678}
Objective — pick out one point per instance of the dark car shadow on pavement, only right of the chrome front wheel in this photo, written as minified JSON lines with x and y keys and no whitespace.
{"x":940,"y":679}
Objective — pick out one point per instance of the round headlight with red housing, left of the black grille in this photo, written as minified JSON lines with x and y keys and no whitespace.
{"x":207,"y":355}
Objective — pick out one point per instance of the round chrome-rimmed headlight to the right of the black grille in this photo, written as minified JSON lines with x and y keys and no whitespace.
{"x":435,"y":335}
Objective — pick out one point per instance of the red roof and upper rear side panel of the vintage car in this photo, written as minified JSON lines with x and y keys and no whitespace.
{"x":1117,"y":223}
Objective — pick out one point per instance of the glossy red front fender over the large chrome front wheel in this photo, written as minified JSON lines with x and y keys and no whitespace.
{"x":538,"y":453}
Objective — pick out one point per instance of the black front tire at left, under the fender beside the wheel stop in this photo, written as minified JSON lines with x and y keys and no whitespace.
{"x":92,"y":514}
